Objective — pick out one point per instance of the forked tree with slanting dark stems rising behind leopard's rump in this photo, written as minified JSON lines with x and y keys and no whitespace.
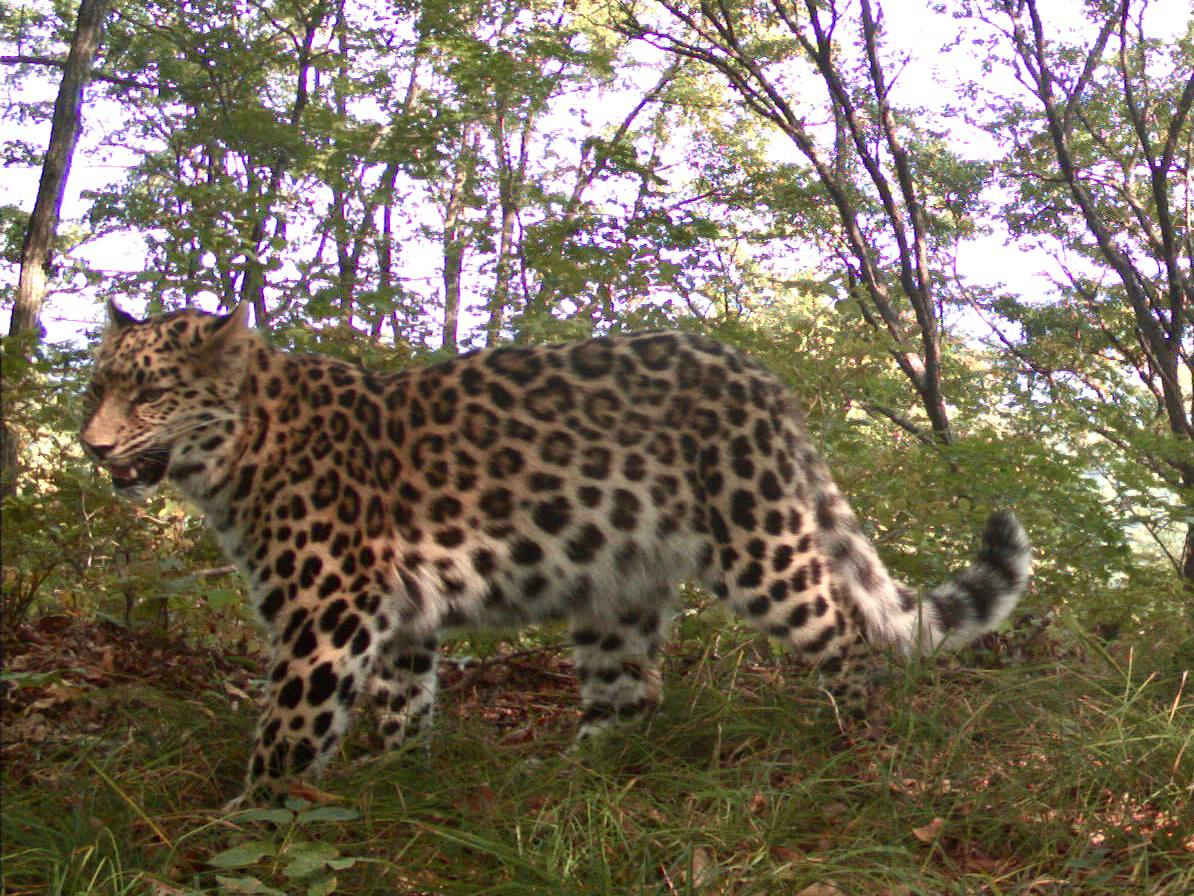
{"x":888,"y":181}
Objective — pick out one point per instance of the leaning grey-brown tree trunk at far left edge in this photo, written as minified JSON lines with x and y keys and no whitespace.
{"x":24,"y":329}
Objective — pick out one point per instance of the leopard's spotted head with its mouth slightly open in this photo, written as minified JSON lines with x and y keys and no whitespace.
{"x":164,"y":395}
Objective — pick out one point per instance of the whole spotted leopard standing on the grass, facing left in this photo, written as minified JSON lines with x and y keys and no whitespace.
{"x":586,"y":483}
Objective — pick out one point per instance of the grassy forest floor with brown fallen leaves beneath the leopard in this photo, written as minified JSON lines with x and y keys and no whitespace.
{"x":1060,"y":769}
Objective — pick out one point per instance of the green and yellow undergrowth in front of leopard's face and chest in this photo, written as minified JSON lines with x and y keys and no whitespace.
{"x":67,"y":544}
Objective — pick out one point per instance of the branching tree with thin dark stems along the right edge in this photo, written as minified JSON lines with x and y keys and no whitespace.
{"x":1100,"y":161}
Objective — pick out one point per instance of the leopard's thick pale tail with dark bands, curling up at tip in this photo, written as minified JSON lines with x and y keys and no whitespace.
{"x":949,"y":617}
